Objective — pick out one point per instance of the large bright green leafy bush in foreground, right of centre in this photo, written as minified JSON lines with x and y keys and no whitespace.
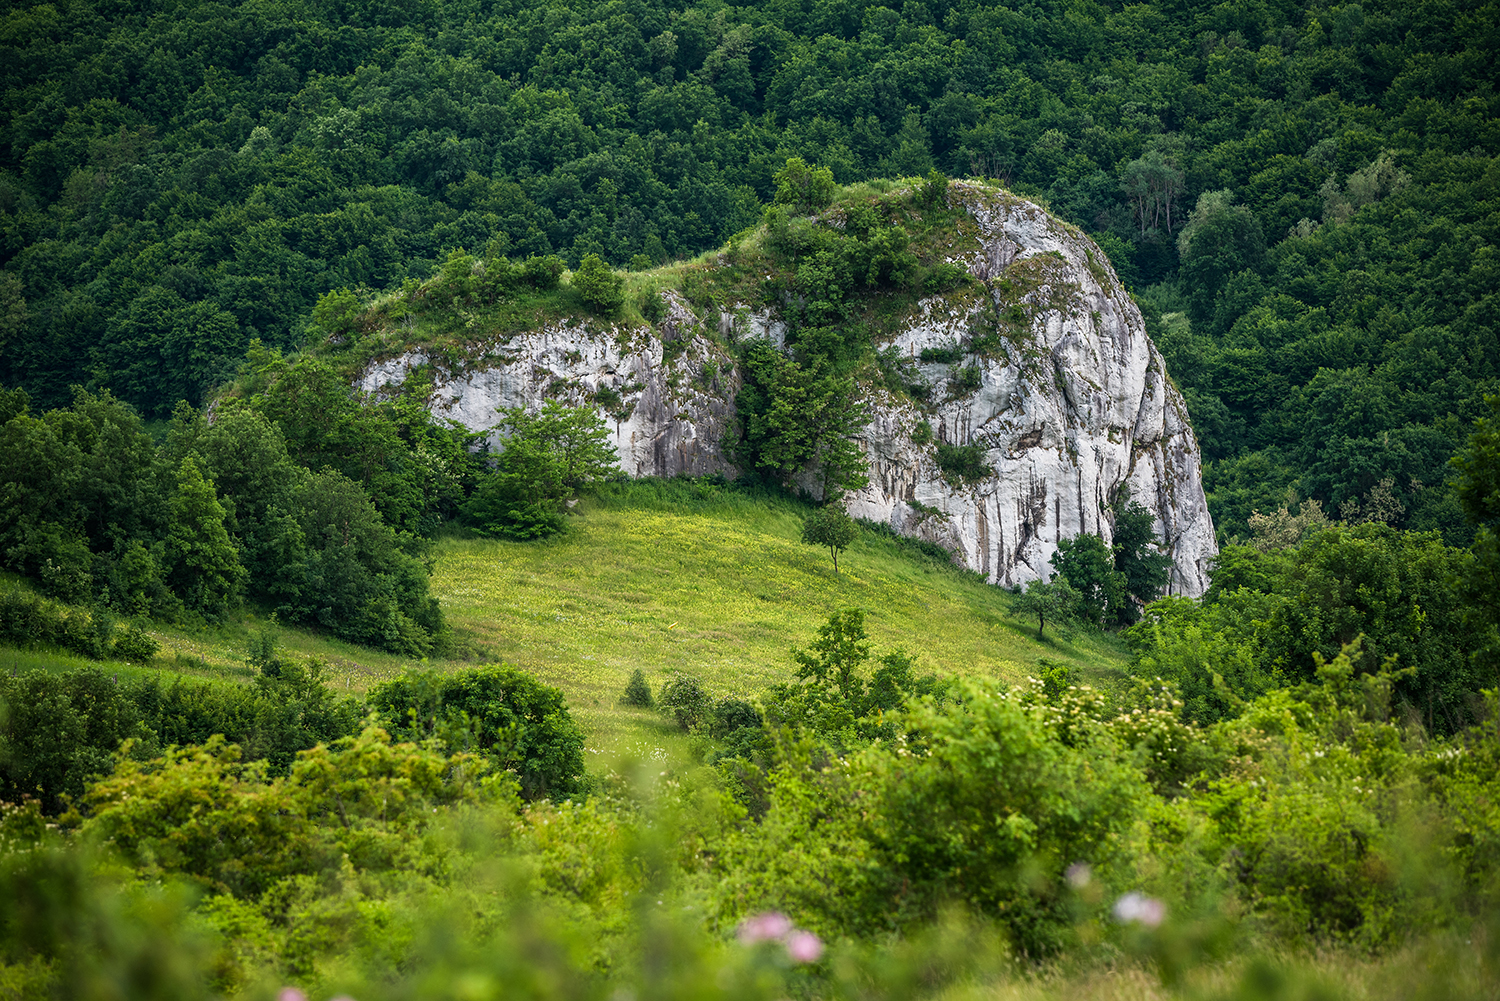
{"x":851,"y":850}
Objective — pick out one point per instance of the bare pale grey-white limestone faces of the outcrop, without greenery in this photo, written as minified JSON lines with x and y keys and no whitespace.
{"x":1046,"y":367}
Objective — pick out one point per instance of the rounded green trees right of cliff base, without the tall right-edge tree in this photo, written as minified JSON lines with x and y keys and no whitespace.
{"x":1270,"y":615}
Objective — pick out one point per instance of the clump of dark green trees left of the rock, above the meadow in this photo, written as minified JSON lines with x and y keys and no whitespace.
{"x":310,"y":502}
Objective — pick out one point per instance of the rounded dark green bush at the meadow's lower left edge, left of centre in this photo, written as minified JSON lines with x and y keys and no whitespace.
{"x":500,"y":714}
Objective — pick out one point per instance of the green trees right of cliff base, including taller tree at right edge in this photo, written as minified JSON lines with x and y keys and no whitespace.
{"x":1405,"y":610}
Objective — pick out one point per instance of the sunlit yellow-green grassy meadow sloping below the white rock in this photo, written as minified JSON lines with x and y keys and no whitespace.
{"x":665,"y":577}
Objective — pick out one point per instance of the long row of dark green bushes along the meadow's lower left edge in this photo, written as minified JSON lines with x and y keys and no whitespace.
{"x":62,"y":732}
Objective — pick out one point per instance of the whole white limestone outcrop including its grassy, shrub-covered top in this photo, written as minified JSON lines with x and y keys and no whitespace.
{"x":1010,"y":392}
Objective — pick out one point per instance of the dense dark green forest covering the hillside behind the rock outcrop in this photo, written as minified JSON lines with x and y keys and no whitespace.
{"x":1301,"y":194}
